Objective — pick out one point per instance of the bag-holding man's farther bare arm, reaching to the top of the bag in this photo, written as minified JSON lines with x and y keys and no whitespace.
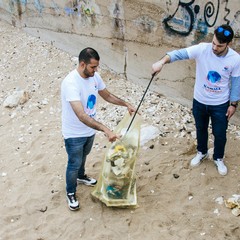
{"x":111,"y":98}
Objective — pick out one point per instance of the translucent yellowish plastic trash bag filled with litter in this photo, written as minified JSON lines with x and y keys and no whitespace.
{"x":116,"y":185}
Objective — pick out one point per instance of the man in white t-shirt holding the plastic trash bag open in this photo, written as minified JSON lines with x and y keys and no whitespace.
{"x":79,"y":92}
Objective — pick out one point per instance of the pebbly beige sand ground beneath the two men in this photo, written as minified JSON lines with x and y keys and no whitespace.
{"x":174,"y":200}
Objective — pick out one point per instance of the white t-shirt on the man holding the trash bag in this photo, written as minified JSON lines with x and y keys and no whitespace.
{"x":76,"y":88}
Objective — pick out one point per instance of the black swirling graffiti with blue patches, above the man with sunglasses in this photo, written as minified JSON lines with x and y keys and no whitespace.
{"x":189,"y":15}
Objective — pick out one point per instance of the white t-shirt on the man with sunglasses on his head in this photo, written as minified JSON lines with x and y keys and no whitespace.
{"x":212,"y":85}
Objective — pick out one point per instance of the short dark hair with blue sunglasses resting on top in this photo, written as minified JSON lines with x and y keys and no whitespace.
{"x":224,"y":33}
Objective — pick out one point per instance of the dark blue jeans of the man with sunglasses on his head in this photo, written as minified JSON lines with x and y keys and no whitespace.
{"x":202,"y":114}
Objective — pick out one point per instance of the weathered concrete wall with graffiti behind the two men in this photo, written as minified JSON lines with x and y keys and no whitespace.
{"x":129,"y":35}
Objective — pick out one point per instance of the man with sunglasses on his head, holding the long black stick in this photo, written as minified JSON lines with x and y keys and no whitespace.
{"x":216,"y":90}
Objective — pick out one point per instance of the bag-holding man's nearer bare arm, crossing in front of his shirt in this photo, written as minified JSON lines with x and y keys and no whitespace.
{"x":90,"y":122}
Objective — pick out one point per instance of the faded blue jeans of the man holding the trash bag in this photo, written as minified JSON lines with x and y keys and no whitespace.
{"x":77,"y":150}
